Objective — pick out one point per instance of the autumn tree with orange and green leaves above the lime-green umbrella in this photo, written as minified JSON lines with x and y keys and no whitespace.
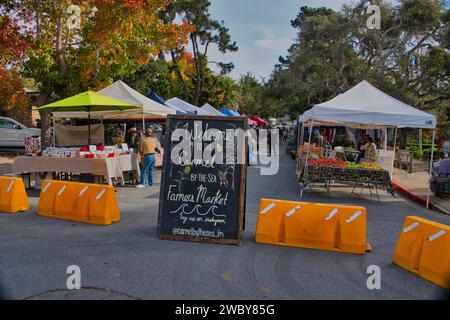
{"x":70,"y":50}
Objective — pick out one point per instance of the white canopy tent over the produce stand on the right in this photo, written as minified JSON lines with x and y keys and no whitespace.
{"x":365,"y":106}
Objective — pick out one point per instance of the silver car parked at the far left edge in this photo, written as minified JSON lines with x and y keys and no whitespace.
{"x":13,"y":133}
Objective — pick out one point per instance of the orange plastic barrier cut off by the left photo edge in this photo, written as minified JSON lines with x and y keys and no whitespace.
{"x":13,"y":197}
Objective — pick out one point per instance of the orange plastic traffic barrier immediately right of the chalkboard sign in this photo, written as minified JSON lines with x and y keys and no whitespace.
{"x":312,"y":225}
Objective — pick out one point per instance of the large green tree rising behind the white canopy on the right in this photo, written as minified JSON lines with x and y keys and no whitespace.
{"x":407,"y":58}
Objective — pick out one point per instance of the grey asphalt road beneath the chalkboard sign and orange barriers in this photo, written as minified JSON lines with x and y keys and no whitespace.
{"x":128,"y":261}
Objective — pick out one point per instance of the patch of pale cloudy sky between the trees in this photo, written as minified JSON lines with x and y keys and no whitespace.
{"x":262,"y":30}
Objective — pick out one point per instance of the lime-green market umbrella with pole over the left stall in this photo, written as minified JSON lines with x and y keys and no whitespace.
{"x":87,"y":101}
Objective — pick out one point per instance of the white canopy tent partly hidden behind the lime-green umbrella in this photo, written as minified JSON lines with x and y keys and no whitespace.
{"x":121,"y":91}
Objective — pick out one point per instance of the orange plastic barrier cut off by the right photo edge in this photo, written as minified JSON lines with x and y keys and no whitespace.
{"x":424,"y":248}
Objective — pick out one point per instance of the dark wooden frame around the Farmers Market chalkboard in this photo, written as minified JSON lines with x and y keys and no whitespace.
{"x":242,"y":182}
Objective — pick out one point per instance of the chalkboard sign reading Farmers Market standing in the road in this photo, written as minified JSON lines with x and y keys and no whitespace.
{"x":202,"y":195}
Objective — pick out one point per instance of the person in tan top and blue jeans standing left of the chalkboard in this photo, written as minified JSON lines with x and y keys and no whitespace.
{"x":148,"y":149}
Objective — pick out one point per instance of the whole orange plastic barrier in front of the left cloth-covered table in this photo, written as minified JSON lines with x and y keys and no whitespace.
{"x":84,"y":202}
